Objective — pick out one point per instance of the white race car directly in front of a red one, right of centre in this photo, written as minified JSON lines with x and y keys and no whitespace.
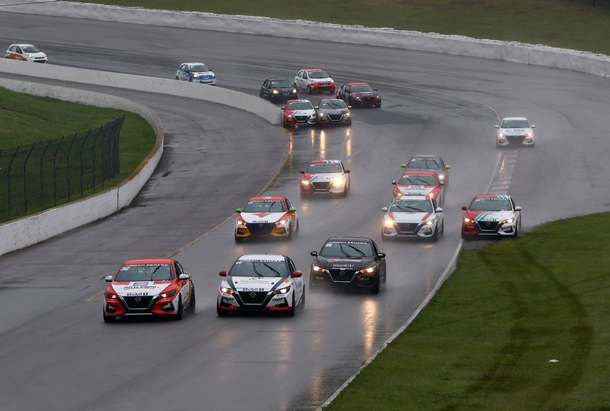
{"x":413,"y":216}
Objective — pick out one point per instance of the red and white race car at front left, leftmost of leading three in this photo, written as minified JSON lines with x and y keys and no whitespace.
{"x":153,"y":286}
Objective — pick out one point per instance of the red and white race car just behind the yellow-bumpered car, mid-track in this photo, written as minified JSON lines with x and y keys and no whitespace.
{"x":325,"y":176}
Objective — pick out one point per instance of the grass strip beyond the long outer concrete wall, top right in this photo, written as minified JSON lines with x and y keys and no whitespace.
{"x":569,"y":24}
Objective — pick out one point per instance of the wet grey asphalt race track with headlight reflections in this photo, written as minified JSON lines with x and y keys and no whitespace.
{"x":57,"y":354}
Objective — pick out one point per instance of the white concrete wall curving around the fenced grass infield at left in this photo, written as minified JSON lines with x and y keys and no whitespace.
{"x":31,"y":230}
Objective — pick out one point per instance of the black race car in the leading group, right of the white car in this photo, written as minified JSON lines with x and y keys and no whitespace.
{"x":348,"y":261}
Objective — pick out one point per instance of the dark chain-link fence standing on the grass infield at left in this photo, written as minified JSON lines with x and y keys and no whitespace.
{"x":46,"y":174}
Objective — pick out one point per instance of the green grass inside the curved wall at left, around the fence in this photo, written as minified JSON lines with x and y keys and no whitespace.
{"x":26,"y":119}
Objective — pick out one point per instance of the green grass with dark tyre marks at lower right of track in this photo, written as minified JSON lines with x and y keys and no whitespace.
{"x":486,"y":340}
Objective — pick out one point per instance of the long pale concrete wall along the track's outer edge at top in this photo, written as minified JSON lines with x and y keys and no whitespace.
{"x":456,"y":45}
